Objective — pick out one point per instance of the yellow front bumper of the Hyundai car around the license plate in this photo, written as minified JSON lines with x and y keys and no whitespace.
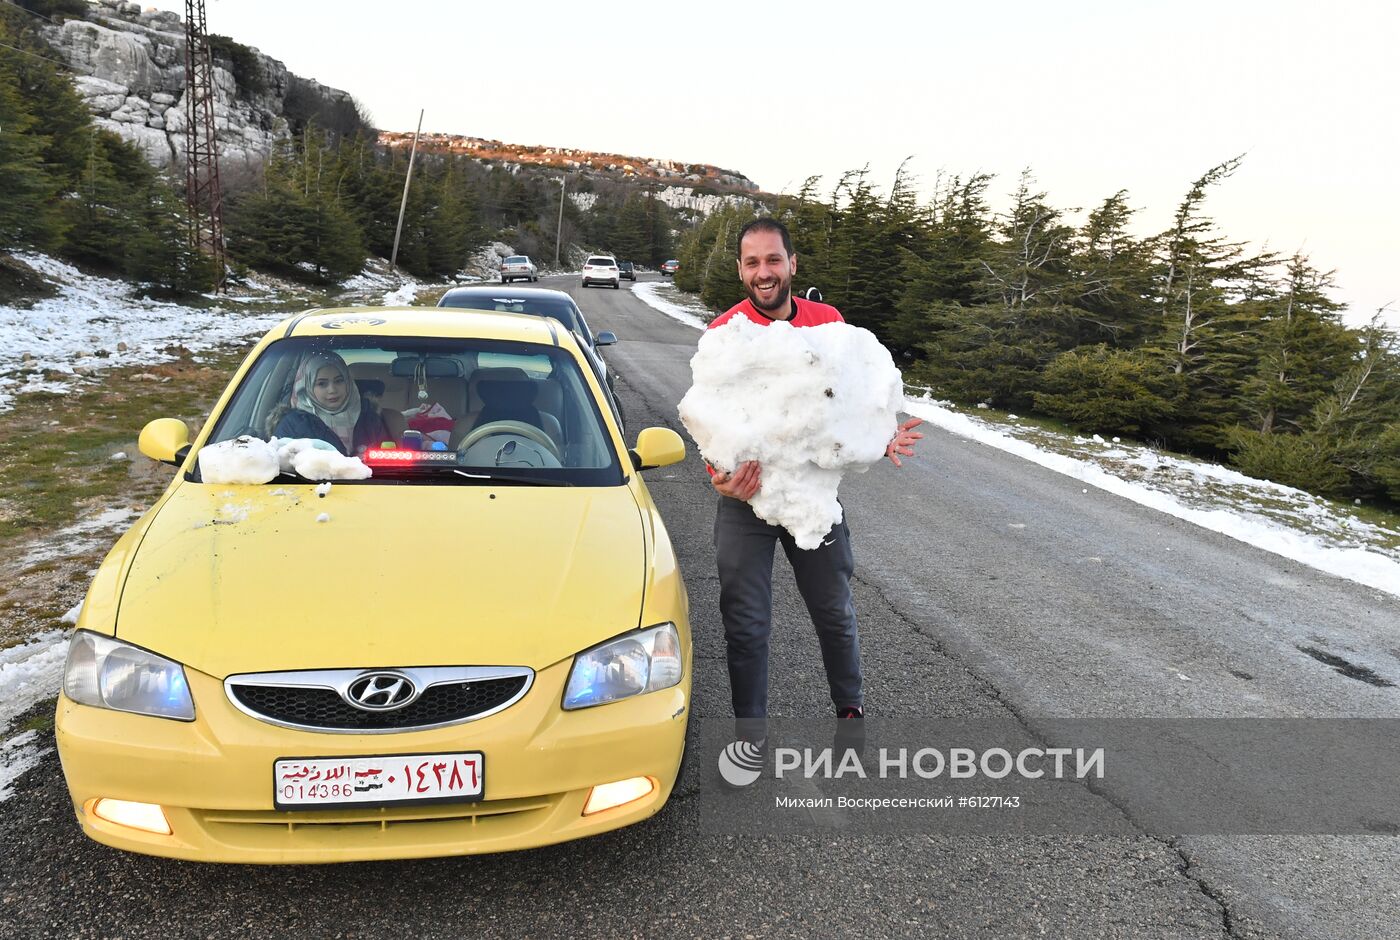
{"x":213,"y":777}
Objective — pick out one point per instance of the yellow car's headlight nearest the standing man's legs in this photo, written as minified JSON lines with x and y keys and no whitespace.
{"x":632,"y":665}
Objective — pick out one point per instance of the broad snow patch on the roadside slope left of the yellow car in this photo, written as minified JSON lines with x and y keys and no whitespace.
{"x":94,"y":316}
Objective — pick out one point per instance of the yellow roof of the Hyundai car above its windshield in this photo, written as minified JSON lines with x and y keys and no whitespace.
{"x":423,"y":322}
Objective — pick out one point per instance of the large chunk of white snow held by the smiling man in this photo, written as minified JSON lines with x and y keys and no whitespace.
{"x":810,"y":404}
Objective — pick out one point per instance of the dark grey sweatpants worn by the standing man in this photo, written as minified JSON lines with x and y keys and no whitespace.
{"x":744,"y":551}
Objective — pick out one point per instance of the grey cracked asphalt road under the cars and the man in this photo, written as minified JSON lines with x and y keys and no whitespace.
{"x":988,"y":588}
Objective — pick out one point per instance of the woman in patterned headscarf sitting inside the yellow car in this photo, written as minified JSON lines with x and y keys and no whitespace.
{"x":327,"y":406}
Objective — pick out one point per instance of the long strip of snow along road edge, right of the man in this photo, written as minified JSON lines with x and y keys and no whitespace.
{"x":1301,"y":527}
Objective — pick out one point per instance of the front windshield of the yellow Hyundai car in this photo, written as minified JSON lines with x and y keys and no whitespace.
{"x":429,"y":410}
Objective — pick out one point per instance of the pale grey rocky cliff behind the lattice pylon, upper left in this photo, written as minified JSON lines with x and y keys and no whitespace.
{"x":131,"y":68}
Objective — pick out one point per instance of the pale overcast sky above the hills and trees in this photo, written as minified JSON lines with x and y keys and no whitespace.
{"x":1094,"y":97}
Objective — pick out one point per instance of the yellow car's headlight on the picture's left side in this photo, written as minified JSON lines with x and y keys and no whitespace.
{"x":111,"y":675}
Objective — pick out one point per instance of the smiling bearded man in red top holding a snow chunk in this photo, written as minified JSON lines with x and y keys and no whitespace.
{"x":744,"y":543}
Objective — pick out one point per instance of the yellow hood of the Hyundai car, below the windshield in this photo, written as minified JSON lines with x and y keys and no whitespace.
{"x":251,"y":579}
